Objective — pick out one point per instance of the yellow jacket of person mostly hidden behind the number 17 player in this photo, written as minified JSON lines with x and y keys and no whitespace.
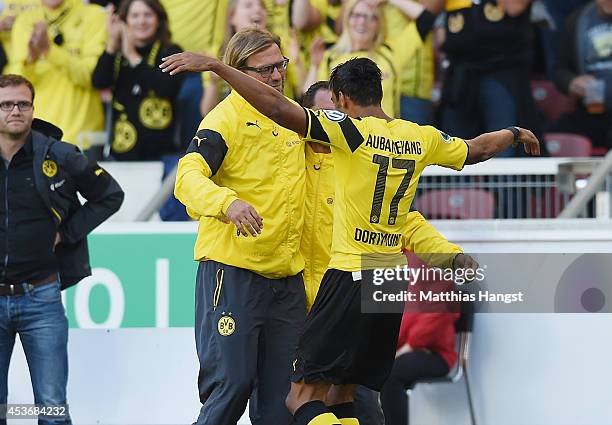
{"x":421,"y":238}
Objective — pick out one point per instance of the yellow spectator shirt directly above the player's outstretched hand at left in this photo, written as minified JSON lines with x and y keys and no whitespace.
{"x":197,"y":25}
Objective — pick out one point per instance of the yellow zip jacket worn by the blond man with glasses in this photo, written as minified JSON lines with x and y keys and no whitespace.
{"x":239,"y":153}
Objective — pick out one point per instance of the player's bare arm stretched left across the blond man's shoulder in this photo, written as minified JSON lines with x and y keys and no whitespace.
{"x":264,"y":98}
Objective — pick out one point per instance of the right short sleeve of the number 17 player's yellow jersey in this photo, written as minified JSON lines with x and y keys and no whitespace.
{"x":442,"y":149}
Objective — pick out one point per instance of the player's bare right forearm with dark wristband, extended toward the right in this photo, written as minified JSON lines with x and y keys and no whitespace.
{"x":487,"y":145}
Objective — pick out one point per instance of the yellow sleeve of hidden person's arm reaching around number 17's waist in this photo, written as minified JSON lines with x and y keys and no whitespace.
{"x":427,"y":243}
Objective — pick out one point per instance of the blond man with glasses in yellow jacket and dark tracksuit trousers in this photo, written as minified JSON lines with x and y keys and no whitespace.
{"x":243,"y":180}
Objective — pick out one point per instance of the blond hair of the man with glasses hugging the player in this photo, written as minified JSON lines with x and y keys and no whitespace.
{"x":245,"y":44}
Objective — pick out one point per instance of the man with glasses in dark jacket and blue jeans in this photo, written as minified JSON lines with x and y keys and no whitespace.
{"x":43,"y":242}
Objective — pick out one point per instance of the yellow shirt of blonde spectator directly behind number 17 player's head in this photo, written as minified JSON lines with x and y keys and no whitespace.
{"x":390,"y":58}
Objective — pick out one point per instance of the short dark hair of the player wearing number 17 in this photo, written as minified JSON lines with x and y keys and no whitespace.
{"x":360,"y":79}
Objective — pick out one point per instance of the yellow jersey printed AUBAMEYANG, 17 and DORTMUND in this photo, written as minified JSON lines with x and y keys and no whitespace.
{"x":377,"y":168}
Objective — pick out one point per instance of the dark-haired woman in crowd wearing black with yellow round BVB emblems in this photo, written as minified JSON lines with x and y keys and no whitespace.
{"x":143,"y":113}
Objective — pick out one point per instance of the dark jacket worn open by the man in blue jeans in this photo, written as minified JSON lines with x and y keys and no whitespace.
{"x":60,"y":171}
